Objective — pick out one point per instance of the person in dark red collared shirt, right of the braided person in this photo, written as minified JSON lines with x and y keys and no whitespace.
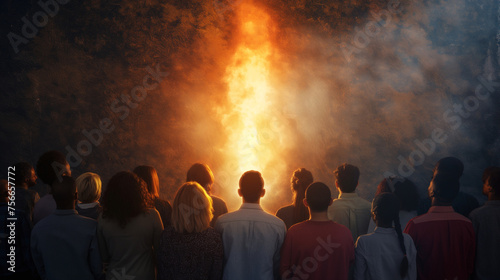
{"x":444,"y":239}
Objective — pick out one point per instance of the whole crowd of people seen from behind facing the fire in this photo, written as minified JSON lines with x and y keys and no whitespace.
{"x":124,"y":230}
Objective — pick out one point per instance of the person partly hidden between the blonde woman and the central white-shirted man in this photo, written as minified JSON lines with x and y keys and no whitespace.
{"x":202,"y":174}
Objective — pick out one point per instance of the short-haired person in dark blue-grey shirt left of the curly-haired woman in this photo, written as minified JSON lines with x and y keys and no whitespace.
{"x":64,"y":244}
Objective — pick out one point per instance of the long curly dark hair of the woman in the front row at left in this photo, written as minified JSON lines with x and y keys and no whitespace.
{"x":125,"y":197}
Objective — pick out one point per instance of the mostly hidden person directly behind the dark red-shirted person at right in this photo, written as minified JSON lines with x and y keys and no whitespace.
{"x":464,"y":203}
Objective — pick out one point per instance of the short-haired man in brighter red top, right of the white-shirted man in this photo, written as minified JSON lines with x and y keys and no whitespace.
{"x":317,"y":248}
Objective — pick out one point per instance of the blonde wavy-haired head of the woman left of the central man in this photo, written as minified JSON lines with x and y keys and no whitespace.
{"x":192,"y":210}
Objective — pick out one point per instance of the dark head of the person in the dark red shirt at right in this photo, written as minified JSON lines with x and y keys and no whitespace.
{"x":443,"y":188}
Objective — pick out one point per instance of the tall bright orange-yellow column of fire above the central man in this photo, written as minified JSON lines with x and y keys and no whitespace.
{"x":254,"y":137}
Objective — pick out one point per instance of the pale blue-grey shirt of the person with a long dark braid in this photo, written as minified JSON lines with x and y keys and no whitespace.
{"x":379,"y":255}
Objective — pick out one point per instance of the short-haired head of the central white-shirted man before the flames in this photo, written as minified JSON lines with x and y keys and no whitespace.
{"x":251,"y":186}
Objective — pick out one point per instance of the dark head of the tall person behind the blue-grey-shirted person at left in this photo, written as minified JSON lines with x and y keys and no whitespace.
{"x":52,"y":166}
